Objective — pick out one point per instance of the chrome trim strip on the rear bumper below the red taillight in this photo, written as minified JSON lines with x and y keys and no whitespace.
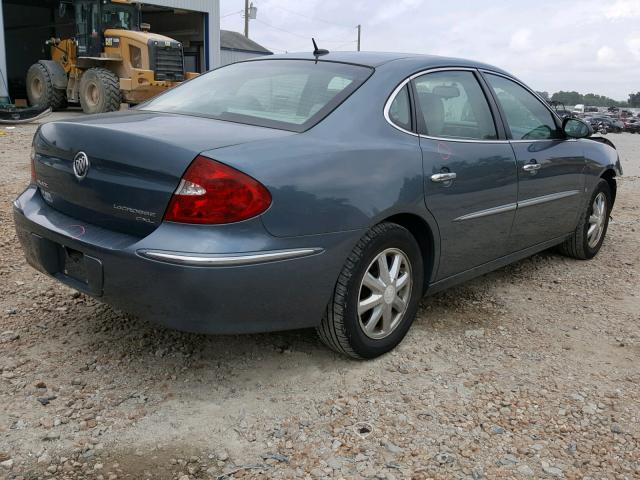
{"x":226,"y":260}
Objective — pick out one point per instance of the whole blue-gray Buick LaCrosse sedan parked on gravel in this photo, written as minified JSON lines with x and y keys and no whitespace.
{"x":329,"y":191}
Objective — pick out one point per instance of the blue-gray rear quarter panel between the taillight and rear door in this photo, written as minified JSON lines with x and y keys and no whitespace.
{"x":347,"y":173}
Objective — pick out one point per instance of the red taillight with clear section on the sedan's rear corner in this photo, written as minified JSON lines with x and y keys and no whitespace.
{"x":211,"y":192}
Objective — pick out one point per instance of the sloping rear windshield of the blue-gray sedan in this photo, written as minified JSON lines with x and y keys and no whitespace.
{"x":287,"y":94}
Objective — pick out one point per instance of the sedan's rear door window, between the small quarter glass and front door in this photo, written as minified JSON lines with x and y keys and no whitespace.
{"x":454,"y":106}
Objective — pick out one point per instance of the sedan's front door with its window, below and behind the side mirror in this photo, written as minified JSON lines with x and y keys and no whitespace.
{"x":550,"y":166}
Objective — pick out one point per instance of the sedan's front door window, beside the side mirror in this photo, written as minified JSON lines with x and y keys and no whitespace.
{"x":526,"y":116}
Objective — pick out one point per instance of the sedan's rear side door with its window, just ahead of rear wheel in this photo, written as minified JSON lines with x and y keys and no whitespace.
{"x":470,"y":174}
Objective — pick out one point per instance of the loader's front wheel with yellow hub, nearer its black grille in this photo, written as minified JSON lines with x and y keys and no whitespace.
{"x":99,"y":91}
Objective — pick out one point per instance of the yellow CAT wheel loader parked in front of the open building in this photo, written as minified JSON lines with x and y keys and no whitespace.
{"x":113,"y":59}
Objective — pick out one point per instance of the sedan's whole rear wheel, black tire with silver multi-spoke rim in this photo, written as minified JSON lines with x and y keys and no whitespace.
{"x":376,"y":297}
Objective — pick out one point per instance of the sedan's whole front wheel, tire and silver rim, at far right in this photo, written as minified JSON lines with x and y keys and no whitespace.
{"x":586,"y":240}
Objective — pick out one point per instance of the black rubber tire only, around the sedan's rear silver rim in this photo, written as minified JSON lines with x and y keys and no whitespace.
{"x":340,"y":328}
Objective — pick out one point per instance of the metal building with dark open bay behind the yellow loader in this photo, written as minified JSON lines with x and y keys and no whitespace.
{"x":26,"y":24}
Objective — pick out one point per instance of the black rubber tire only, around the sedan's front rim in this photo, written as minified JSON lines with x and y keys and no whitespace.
{"x":577,"y":245}
